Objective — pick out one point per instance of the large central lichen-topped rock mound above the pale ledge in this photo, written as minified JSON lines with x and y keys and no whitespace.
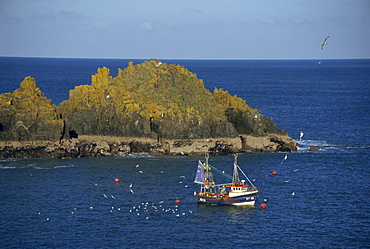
{"x":158,"y":100}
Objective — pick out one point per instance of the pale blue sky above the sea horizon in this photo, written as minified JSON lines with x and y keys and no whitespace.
{"x":185,"y":29}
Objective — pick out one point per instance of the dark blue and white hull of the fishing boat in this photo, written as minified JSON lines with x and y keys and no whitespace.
{"x":248,"y":198}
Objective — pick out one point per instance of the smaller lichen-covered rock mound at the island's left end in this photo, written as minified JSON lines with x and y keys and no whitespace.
{"x":26,"y":115}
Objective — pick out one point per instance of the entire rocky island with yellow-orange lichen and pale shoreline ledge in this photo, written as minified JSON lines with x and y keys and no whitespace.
{"x":152,"y":107}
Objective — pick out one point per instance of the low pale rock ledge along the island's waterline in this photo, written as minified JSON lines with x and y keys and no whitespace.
{"x":102,"y":146}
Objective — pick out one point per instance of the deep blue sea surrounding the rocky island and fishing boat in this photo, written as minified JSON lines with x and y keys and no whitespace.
{"x":316,"y":200}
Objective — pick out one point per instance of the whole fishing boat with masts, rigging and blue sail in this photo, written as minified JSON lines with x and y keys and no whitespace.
{"x":235,"y":193}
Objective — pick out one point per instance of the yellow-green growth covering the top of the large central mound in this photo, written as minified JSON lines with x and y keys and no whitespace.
{"x":155,"y":89}
